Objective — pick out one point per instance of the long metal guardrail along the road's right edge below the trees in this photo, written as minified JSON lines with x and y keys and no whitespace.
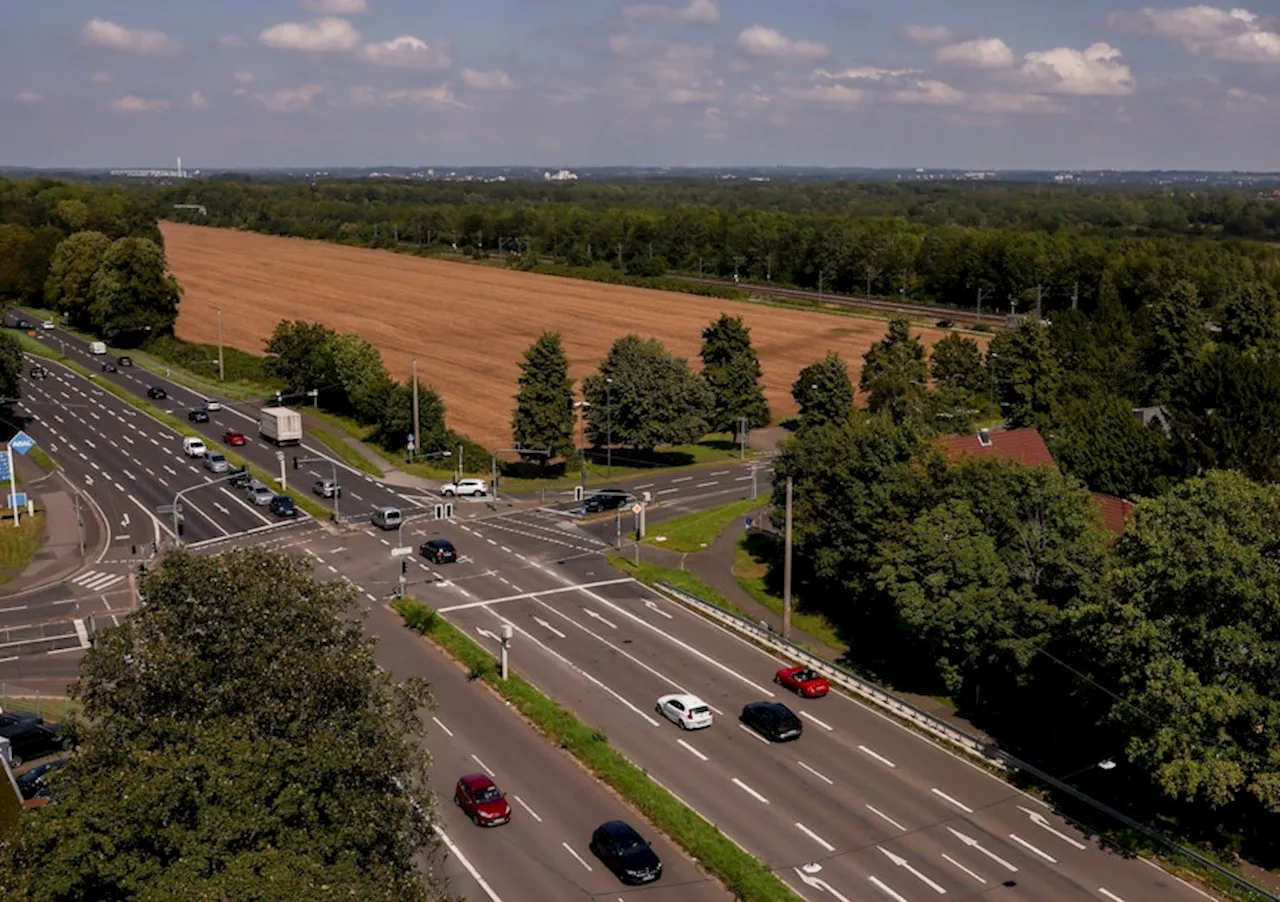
{"x":989,"y":753}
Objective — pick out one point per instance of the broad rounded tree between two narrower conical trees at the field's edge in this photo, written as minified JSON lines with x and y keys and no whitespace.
{"x":656,"y":399}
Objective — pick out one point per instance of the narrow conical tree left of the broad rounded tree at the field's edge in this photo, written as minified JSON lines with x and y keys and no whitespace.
{"x":545,"y":404}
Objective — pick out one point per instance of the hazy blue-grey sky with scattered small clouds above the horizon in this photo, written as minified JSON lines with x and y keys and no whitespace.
{"x":935,"y":84}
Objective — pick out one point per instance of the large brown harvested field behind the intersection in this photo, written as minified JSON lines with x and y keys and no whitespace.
{"x":469,"y":326}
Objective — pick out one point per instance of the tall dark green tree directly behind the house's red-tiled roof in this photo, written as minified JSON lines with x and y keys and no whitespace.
{"x":1026,"y":374}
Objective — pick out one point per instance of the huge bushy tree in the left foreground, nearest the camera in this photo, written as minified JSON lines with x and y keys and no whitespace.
{"x":255,"y":752}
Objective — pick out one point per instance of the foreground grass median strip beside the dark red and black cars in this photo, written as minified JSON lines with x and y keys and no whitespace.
{"x":744,"y":876}
